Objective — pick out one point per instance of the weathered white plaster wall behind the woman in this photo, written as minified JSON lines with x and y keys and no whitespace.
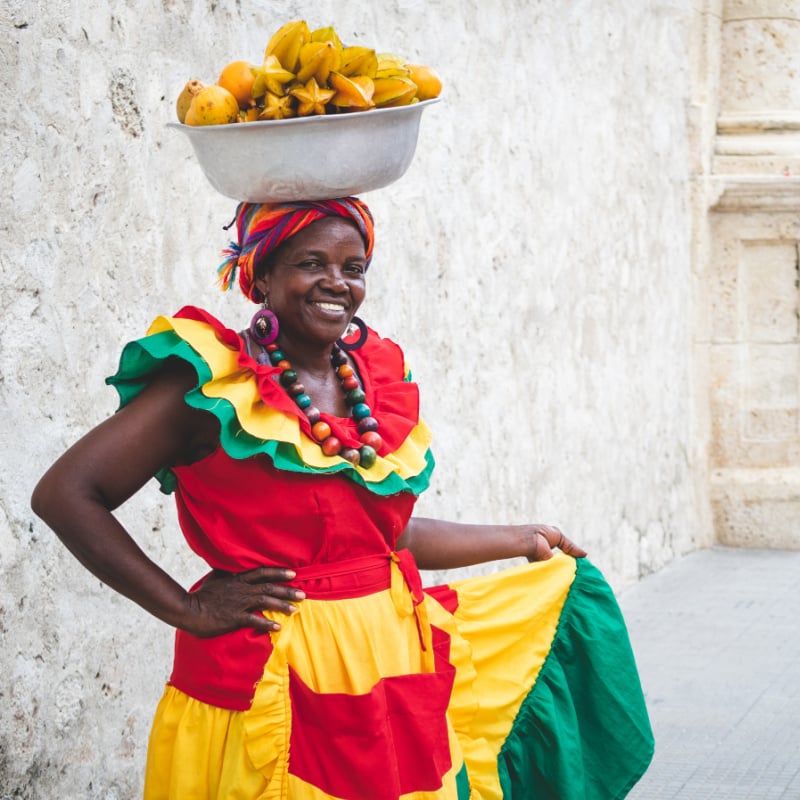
{"x":534,"y":263}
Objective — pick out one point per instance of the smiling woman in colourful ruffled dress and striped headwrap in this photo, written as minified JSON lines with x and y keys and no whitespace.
{"x":309,"y":662}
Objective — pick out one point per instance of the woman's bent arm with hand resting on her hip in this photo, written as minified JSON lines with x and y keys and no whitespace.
{"x":77,"y":494}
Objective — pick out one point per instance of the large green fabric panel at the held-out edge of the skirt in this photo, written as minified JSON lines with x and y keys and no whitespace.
{"x":583,"y":732}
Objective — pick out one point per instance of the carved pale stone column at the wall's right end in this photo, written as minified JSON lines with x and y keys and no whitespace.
{"x":749,"y":302}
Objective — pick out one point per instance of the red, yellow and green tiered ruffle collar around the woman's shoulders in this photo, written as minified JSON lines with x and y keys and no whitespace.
{"x":257,"y":416}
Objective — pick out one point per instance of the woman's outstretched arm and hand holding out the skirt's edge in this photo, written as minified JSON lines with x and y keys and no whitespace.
{"x":437,"y":544}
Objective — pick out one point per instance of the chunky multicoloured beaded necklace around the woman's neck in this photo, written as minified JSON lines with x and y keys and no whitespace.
{"x":354,"y":397}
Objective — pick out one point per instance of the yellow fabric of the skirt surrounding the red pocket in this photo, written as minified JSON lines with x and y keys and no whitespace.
{"x":500,"y":635}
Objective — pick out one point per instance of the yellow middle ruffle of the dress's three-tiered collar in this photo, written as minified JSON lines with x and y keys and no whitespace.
{"x":235,"y":385}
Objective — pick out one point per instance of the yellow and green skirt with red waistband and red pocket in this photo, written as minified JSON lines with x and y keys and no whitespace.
{"x":518,"y":684}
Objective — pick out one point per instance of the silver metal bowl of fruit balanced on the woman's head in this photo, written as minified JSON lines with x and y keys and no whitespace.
{"x":308,"y":158}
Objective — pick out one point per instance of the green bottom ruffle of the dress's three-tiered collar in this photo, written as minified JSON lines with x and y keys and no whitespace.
{"x":142,"y":357}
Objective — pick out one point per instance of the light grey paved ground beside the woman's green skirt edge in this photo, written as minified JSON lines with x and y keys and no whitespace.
{"x":717,"y":639}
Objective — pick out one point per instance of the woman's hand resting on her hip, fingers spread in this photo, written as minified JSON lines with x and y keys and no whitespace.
{"x":227,"y":601}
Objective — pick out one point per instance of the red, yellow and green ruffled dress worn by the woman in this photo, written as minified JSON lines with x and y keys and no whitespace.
{"x":375,"y":689}
